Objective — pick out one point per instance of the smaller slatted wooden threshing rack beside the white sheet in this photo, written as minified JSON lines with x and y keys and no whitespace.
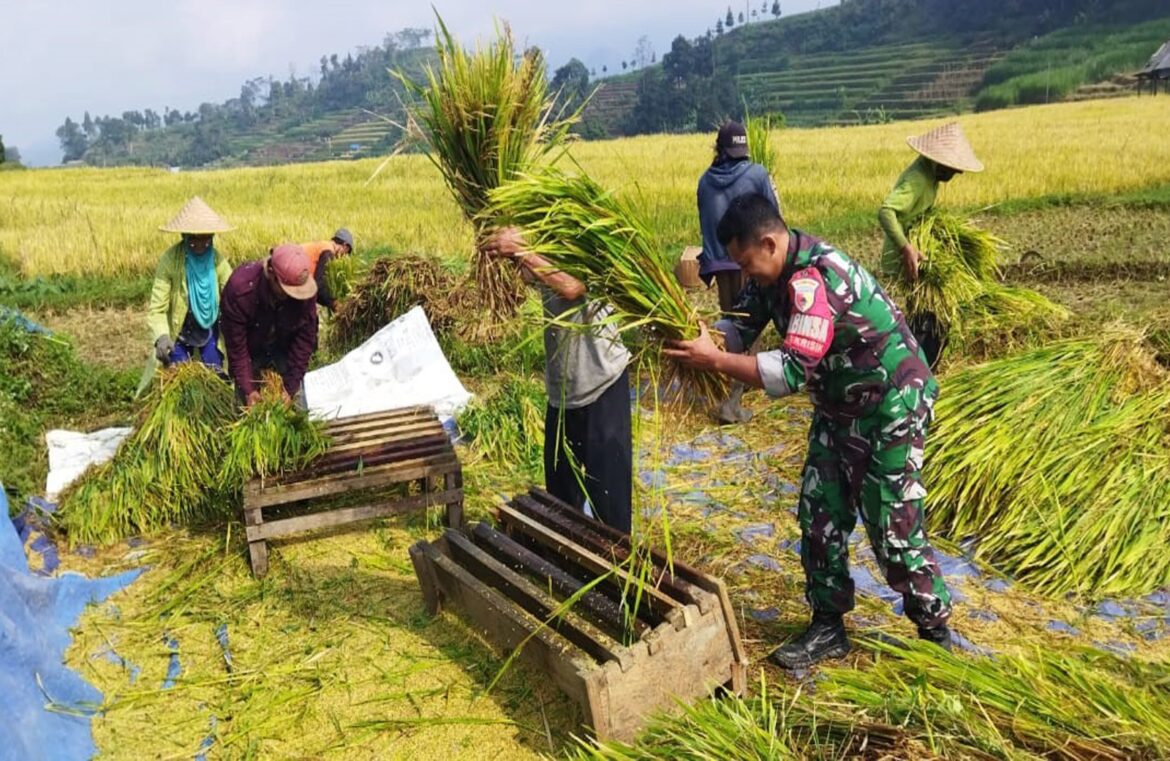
{"x":370,"y":456}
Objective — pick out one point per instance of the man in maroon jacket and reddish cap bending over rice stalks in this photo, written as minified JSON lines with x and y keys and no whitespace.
{"x":270,"y":321}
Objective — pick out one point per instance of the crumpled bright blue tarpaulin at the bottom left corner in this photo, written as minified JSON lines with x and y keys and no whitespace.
{"x":36,"y":618}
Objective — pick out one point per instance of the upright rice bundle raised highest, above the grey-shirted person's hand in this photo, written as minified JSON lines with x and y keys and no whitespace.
{"x":488,"y":118}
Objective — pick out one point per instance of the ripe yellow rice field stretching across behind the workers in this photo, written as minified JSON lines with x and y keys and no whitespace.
{"x":105,"y":222}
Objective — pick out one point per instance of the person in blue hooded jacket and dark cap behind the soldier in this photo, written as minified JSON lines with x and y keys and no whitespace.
{"x":731,"y":176}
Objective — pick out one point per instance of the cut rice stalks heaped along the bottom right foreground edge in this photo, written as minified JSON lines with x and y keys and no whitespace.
{"x":919,"y":702}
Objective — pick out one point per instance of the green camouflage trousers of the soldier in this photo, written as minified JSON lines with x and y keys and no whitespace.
{"x":871,"y":465}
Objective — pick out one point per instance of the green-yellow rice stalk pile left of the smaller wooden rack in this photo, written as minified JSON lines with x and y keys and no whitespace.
{"x":187,"y":462}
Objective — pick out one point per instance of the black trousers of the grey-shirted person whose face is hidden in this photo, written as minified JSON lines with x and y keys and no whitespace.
{"x":600,"y":442}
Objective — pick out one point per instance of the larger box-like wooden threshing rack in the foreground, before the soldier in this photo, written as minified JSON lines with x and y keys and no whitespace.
{"x":512,"y":582}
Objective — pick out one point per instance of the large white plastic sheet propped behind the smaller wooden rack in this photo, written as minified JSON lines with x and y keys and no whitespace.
{"x":401,"y":366}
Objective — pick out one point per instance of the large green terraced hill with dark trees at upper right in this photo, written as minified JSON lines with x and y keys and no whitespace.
{"x":882,"y":60}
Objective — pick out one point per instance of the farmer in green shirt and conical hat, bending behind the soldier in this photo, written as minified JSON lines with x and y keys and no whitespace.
{"x":944,"y":154}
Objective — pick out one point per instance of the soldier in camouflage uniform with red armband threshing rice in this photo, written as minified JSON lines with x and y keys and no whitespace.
{"x":849,"y":346}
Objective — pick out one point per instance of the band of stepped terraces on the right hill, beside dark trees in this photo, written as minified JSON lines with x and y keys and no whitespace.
{"x":879,"y":84}
